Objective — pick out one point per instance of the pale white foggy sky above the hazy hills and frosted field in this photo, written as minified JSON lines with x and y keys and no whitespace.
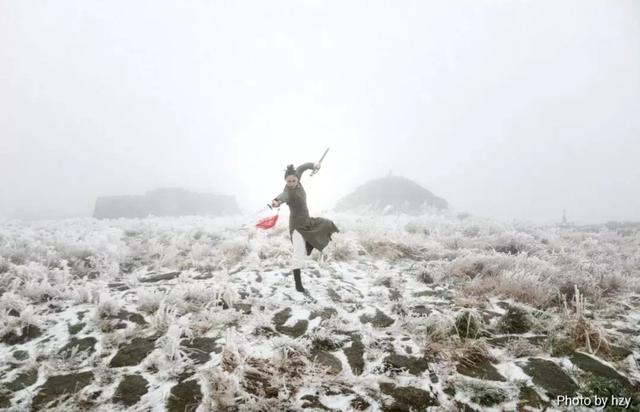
{"x":507,"y":109}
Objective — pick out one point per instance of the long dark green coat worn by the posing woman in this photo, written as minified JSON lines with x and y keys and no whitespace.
{"x":316,"y":231}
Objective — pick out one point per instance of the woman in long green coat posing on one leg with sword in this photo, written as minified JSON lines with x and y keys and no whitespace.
{"x":306,"y":232}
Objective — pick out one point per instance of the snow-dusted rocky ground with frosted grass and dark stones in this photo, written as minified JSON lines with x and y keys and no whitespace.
{"x":431,"y":312}
